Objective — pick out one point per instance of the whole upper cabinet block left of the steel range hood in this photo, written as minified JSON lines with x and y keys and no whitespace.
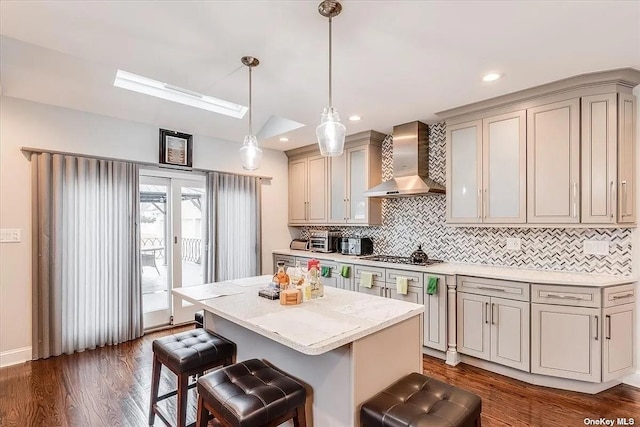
{"x":334,"y":186}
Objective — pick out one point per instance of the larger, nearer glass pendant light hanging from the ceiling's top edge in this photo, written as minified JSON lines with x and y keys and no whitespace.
{"x":331,"y":131}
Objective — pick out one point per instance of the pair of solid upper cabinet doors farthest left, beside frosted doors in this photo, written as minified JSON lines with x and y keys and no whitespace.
{"x":308,"y":190}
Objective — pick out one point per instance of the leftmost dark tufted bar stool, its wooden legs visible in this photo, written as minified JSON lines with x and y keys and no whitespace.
{"x":186,"y":354}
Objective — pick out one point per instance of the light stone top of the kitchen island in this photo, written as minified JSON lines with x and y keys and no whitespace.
{"x":243,"y":307}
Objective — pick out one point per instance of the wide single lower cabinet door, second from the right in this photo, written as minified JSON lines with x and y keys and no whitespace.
{"x":566,"y":342}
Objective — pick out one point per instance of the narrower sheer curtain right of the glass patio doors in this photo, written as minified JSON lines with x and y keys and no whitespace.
{"x":233,"y":229}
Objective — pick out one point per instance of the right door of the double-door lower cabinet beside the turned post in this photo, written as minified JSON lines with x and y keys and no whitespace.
{"x":510,"y":333}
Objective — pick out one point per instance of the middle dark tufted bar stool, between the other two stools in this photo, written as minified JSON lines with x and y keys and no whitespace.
{"x":250,"y":394}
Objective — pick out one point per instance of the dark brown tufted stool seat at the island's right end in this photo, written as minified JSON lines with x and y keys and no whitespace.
{"x":420,"y":401}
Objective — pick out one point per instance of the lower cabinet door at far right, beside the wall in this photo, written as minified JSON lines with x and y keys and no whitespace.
{"x":618,"y":351}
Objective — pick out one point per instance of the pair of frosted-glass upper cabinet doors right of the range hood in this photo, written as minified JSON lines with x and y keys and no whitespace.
{"x":486,"y":164}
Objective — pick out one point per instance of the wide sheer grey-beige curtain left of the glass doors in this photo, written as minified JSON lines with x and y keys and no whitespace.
{"x":86,"y":263}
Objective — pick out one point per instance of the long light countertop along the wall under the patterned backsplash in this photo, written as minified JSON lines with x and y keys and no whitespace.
{"x":516,"y":274}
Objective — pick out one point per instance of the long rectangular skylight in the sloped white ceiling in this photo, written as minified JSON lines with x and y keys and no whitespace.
{"x":177,"y":94}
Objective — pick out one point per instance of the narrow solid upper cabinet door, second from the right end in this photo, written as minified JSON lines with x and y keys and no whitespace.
{"x":599,"y":158}
